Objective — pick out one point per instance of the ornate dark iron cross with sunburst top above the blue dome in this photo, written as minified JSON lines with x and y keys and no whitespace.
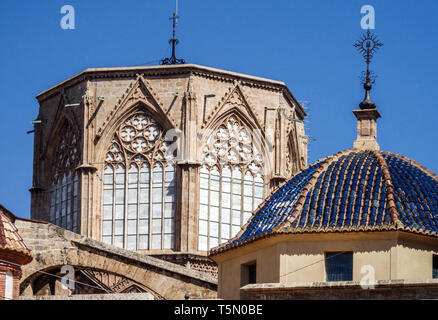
{"x":367,"y":45}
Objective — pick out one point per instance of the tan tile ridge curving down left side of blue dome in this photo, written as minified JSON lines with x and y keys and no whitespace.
{"x":302,"y":197}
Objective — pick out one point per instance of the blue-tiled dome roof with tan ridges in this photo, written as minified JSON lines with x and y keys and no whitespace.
{"x":354,"y":190}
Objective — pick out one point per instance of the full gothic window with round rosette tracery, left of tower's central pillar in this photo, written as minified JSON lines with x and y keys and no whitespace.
{"x":138,"y":187}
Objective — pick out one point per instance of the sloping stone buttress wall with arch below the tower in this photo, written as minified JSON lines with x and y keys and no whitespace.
{"x":53,"y":247}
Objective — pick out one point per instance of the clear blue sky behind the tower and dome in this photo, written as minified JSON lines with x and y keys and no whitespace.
{"x":307,"y":44}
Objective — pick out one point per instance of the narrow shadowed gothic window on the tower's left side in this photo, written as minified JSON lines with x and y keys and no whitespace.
{"x":64,"y":186}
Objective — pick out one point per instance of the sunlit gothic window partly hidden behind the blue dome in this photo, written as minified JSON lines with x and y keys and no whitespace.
{"x":231,"y":183}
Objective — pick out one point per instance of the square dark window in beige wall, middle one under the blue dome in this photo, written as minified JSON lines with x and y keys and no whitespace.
{"x":339,"y":266}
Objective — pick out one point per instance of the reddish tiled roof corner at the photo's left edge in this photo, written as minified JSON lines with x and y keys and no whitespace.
{"x":10,"y":239}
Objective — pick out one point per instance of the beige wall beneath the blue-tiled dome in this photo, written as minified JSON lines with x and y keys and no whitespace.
{"x":300,"y":258}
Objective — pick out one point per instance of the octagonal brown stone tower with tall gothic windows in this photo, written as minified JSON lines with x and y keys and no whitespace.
{"x":167,"y":160}
